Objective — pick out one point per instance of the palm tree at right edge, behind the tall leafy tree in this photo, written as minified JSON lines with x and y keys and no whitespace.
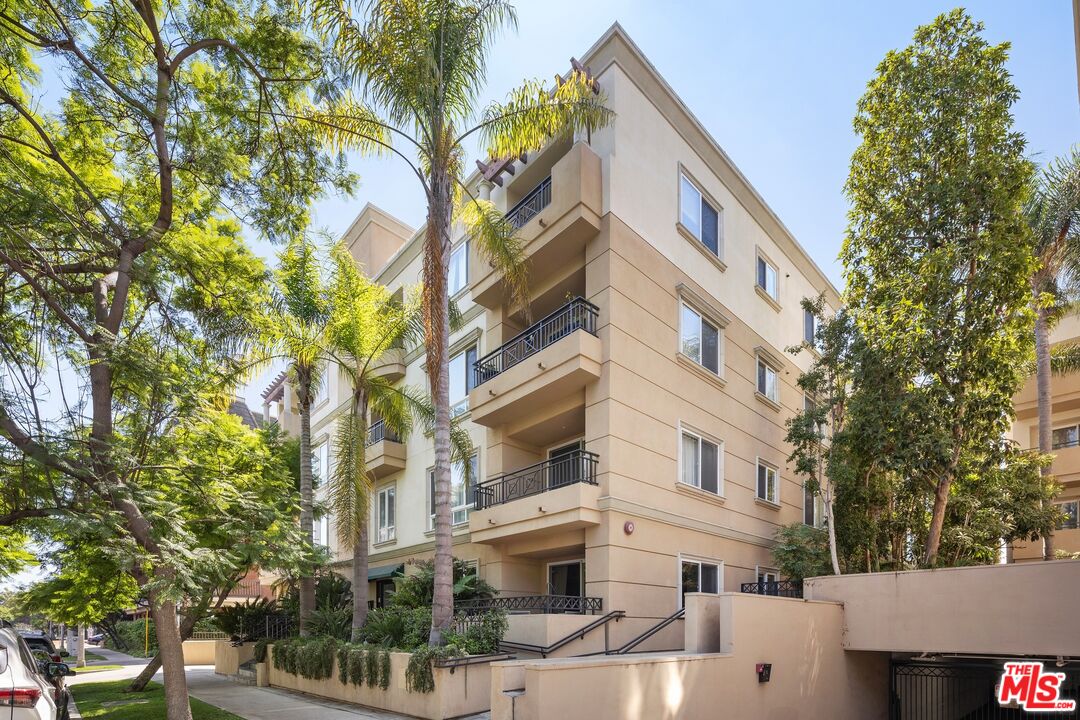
{"x":1054,"y":215}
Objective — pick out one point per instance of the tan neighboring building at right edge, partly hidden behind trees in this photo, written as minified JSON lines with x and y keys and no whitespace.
{"x":1066,"y":444}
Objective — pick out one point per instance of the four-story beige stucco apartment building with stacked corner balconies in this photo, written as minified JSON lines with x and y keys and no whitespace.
{"x":631,"y":438}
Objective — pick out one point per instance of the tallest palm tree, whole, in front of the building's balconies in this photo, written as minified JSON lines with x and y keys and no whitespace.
{"x":420,"y":67}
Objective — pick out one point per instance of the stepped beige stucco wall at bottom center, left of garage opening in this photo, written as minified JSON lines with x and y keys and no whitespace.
{"x":814,"y":676}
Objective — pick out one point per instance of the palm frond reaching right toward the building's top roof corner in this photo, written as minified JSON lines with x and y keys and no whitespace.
{"x":534,"y":115}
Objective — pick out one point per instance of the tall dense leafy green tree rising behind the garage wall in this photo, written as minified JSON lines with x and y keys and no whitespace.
{"x":937,"y":256}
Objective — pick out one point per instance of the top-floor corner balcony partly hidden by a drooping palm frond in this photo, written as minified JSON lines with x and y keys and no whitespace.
{"x":556,"y":220}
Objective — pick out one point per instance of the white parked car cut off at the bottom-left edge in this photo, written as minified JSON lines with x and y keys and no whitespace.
{"x":28,"y":687}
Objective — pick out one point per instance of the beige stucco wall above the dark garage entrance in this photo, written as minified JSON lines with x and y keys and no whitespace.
{"x":1001,"y":609}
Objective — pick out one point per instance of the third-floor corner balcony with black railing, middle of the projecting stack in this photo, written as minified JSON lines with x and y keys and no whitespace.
{"x":526,"y":377}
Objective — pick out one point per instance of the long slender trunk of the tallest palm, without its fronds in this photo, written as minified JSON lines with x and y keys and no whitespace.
{"x":437,"y":262}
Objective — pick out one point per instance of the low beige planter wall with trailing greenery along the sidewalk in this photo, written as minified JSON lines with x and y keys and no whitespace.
{"x":458,"y":692}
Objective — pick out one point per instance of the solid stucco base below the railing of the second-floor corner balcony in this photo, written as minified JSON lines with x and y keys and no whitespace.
{"x":571,"y":508}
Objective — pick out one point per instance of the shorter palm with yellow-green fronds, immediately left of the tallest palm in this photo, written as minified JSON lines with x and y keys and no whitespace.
{"x":364,"y":325}
